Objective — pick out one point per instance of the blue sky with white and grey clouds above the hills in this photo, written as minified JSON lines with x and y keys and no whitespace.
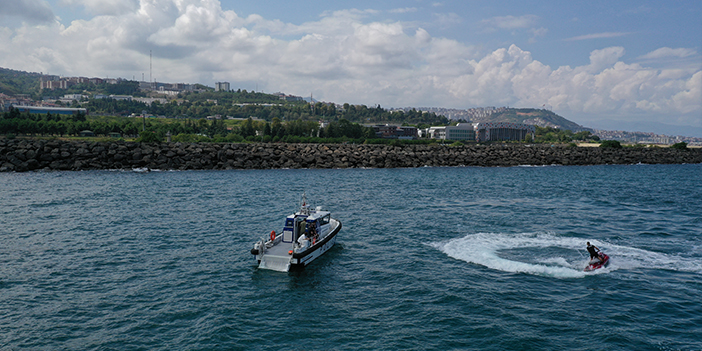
{"x":617,"y":65}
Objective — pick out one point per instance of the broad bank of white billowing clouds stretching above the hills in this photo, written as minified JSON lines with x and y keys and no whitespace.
{"x":344,"y":57}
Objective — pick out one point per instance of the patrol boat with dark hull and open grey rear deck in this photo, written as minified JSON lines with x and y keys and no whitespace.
{"x":307,"y":234}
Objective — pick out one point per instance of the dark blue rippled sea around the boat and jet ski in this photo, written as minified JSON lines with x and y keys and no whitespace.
{"x":428,"y":258}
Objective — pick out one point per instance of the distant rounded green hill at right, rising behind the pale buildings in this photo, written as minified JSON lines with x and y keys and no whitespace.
{"x":539,"y":117}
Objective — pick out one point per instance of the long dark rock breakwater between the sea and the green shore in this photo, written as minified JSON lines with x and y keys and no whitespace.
{"x":23,"y":155}
